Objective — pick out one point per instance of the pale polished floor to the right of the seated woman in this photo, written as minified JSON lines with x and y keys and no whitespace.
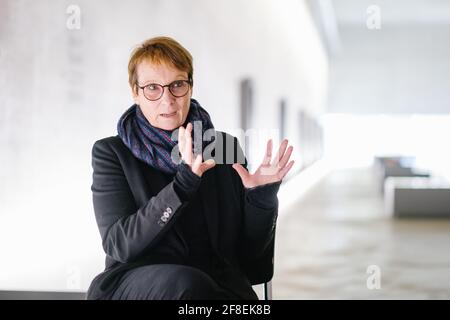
{"x":338,"y":243}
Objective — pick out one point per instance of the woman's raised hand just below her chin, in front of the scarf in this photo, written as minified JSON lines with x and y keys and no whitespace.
{"x":197,"y":165}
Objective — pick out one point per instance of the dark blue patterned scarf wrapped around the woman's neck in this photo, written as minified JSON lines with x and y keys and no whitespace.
{"x":154,"y":145}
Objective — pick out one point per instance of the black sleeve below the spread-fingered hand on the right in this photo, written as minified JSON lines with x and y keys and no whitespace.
{"x":260,"y":207}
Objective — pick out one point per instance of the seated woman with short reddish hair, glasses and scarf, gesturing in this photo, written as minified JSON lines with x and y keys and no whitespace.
{"x":189,"y":228}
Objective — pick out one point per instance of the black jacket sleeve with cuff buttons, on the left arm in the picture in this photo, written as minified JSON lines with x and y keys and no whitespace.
{"x":126,"y":230}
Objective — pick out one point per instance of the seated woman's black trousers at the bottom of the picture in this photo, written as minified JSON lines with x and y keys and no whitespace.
{"x":168,"y":282}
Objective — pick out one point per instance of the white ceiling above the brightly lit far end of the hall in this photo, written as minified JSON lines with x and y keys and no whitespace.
{"x":403,"y":67}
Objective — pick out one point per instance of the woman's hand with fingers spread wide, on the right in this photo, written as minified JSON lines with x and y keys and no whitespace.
{"x":268,"y":171}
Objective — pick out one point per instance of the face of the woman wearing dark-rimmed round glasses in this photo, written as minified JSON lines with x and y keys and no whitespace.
{"x":168,"y":112}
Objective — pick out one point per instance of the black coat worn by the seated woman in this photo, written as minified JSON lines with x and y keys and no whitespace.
{"x":130,"y":197}
